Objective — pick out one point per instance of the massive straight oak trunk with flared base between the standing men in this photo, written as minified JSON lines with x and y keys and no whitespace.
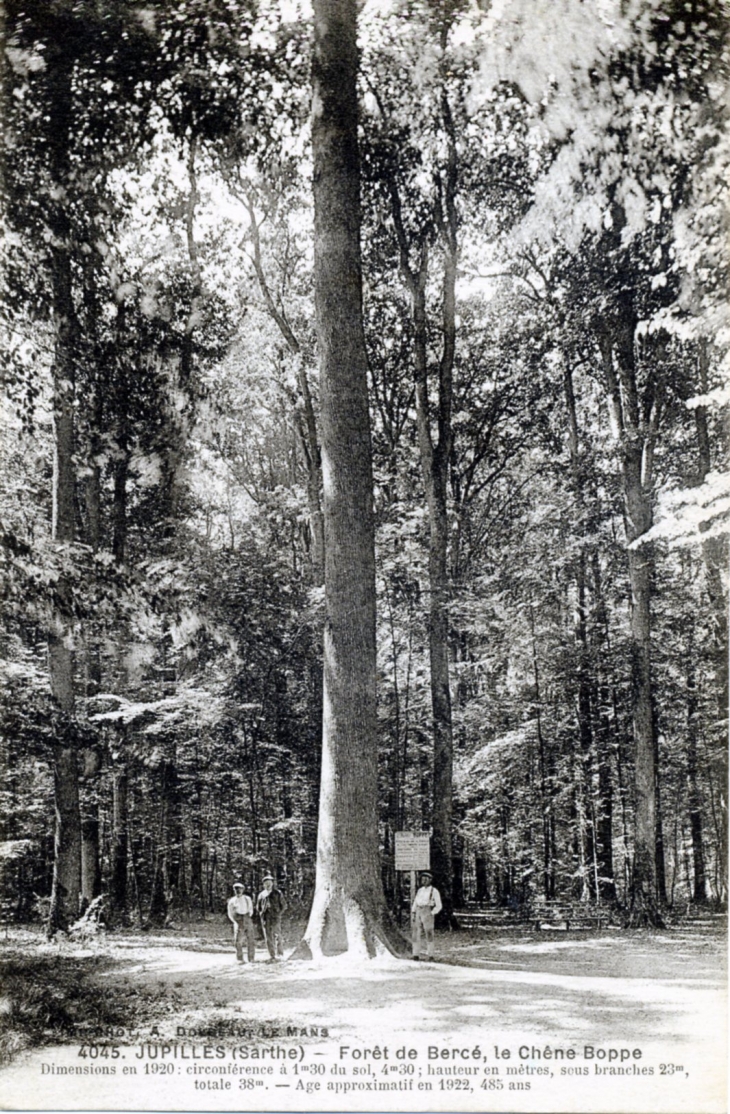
{"x":349,"y":911}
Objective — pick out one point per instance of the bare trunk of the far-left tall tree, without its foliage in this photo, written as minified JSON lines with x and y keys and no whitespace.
{"x":67,"y":846}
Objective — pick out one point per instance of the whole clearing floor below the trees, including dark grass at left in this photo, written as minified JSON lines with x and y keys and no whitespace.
{"x":614,"y":990}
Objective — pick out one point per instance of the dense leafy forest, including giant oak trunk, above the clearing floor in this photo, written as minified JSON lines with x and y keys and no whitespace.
{"x":484,"y":326}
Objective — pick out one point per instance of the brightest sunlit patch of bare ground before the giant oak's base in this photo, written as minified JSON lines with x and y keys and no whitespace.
{"x":397,"y":995}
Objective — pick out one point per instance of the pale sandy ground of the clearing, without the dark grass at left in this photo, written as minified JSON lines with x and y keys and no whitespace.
{"x":660,"y":994}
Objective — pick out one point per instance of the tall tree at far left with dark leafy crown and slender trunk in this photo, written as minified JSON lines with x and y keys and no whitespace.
{"x":66,"y":136}
